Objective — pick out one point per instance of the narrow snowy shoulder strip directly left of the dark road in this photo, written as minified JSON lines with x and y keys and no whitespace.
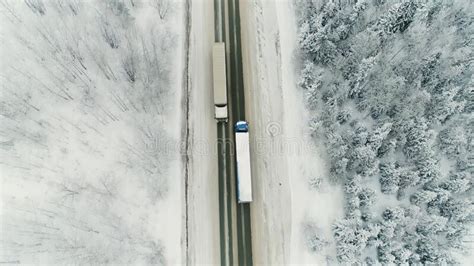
{"x":203,"y":204}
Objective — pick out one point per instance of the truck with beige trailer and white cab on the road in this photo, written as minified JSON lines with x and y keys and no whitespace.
{"x":219,"y":80}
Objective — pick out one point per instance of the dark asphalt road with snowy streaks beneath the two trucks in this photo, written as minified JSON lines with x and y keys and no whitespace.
{"x":234,"y":218}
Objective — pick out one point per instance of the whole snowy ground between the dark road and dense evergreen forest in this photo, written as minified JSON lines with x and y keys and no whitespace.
{"x":284,"y":161}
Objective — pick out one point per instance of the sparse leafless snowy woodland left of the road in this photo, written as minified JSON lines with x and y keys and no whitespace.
{"x":89,"y":173}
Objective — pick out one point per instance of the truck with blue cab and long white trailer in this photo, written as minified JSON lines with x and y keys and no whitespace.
{"x":242,"y":148}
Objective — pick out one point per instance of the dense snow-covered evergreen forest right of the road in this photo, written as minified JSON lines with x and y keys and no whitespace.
{"x":390,"y":90}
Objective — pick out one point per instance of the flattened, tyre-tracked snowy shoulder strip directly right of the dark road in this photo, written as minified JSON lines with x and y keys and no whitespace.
{"x":270,"y":210}
